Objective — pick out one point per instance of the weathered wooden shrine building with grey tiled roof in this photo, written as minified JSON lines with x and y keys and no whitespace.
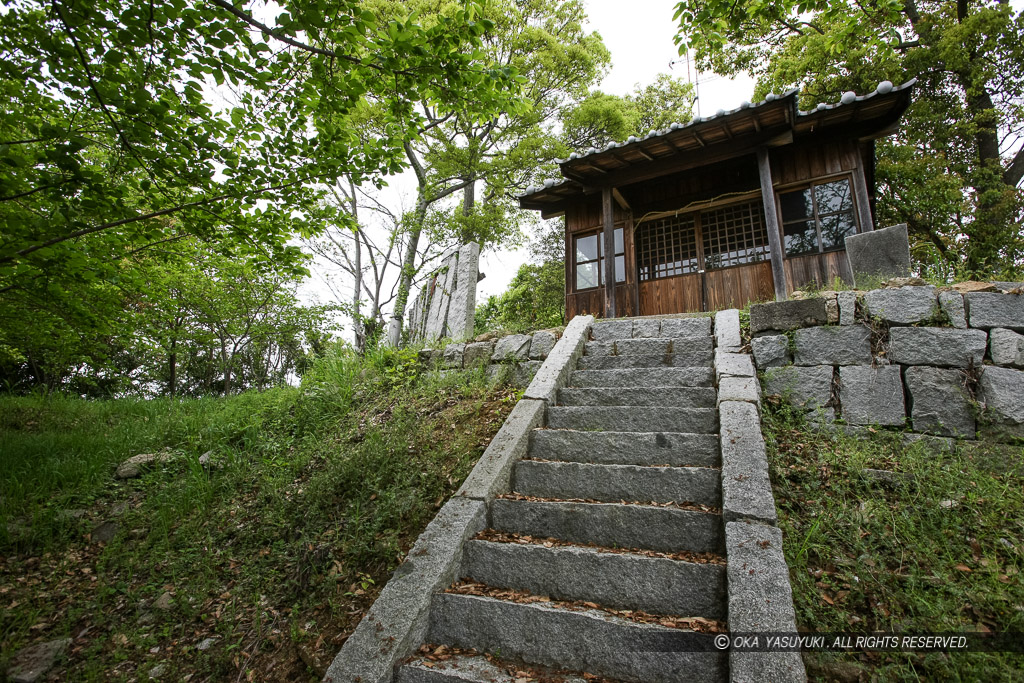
{"x":747,"y":205}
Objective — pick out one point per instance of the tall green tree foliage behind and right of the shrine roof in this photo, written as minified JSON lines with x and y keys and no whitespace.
{"x":954,"y":172}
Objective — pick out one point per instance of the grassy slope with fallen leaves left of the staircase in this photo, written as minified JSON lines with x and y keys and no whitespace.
{"x":276,"y":551}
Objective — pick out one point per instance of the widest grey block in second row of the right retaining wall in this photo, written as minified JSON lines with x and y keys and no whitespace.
{"x":946,"y":348}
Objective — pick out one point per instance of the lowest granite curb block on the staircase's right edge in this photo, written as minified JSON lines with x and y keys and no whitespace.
{"x":760,"y":602}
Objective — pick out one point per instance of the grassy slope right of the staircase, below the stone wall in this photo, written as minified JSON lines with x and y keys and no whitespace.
{"x":942,"y":551}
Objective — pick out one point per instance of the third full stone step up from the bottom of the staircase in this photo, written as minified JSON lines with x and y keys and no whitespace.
{"x":666,"y":530}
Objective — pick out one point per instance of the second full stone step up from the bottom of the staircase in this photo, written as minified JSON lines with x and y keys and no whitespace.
{"x":620,"y":581}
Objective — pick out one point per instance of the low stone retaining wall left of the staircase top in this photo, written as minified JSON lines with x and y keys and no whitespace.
{"x":514,"y":358}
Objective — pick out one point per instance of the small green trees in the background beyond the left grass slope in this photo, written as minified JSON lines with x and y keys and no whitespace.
{"x":189,"y":322}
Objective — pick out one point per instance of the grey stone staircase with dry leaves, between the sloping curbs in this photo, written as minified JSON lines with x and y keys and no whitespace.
{"x":607,"y":560}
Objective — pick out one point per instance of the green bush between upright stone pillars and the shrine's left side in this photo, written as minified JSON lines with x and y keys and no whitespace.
{"x":535,"y":300}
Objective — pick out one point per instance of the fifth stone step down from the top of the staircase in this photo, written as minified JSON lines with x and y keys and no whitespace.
{"x":633,"y":418}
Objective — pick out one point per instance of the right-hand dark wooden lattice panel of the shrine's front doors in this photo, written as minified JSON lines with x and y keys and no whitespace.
{"x":734,"y":236}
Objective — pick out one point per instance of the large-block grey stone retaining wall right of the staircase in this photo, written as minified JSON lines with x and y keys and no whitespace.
{"x":936,"y":362}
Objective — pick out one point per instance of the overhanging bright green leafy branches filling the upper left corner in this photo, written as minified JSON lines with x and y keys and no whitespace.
{"x":113,"y":143}
